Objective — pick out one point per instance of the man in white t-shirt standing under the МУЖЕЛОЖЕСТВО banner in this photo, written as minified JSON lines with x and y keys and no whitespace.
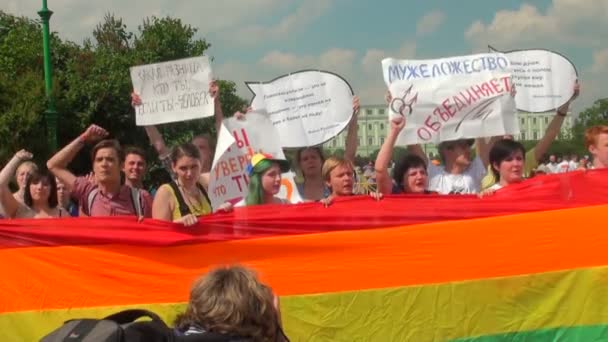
{"x":460,"y":174}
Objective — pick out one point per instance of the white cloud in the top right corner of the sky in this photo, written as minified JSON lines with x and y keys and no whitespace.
{"x":581,"y":23}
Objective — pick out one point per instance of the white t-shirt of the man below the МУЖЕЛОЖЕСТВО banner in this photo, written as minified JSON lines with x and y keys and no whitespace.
{"x":468,"y":182}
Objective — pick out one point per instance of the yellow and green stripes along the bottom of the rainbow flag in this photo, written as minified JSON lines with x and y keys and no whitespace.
{"x":572,"y":306}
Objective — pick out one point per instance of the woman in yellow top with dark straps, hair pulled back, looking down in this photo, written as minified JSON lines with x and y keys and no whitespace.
{"x":184,"y":199}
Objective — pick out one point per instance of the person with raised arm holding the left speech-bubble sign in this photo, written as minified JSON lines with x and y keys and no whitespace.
{"x":310,"y":161}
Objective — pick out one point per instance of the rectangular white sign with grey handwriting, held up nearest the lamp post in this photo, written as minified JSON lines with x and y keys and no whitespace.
{"x":172,"y":91}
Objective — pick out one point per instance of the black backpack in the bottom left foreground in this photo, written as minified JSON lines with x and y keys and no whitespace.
{"x":121,"y":327}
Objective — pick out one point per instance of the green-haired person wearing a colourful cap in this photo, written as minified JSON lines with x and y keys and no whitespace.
{"x":264,"y":180}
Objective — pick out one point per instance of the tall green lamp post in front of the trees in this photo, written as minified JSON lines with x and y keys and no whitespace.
{"x":51,"y":113}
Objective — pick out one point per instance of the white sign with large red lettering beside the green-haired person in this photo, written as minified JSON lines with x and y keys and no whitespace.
{"x":238,"y":140}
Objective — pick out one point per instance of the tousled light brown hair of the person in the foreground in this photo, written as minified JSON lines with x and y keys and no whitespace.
{"x":231,"y":300}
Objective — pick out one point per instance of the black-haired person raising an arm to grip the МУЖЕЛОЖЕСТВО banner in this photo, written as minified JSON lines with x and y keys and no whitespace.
{"x":410,"y":173}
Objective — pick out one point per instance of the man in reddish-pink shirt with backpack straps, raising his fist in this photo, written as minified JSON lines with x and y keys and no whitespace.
{"x":106,"y":196}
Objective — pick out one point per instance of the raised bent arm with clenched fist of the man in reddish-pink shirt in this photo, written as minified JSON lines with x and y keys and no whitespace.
{"x":58,"y":164}
